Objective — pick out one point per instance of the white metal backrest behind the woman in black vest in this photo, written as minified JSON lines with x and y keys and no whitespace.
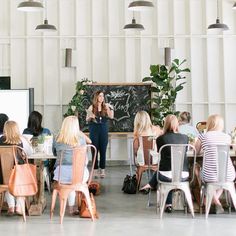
{"x":178,"y":153}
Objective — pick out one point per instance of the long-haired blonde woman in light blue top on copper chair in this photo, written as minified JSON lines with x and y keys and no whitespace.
{"x":69,"y":137}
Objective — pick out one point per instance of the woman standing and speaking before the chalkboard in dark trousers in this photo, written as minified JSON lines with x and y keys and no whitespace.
{"x":97,"y":116}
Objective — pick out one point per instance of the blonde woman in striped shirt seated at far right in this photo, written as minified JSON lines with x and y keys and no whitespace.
{"x":214,"y":135}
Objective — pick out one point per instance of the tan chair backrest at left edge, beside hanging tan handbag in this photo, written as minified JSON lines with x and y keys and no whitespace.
{"x":6,"y":162}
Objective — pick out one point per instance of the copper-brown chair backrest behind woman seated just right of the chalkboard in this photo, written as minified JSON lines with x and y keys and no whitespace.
{"x":148,"y":144}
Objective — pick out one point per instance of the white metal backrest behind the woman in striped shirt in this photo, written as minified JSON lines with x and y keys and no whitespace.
{"x":222,"y":155}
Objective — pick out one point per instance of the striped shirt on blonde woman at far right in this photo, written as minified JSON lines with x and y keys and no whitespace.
{"x":209,"y":170}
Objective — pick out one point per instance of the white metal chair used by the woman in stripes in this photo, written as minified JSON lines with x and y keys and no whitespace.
{"x":222,"y":160}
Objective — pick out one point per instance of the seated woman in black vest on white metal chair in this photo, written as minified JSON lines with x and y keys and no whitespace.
{"x":170,"y":136}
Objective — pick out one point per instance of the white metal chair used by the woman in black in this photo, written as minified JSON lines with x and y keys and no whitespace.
{"x":178,"y":155}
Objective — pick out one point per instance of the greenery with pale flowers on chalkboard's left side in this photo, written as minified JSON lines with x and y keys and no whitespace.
{"x":75,"y":106}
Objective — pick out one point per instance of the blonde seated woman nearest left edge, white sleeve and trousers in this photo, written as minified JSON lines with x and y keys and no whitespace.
{"x":12,"y":136}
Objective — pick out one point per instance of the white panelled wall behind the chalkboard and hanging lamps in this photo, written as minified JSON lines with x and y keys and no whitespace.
{"x":105,"y":53}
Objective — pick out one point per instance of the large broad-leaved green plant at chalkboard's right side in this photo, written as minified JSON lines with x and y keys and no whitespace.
{"x":166,"y":83}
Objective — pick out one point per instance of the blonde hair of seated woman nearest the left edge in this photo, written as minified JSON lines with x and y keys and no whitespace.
{"x":12,"y":133}
